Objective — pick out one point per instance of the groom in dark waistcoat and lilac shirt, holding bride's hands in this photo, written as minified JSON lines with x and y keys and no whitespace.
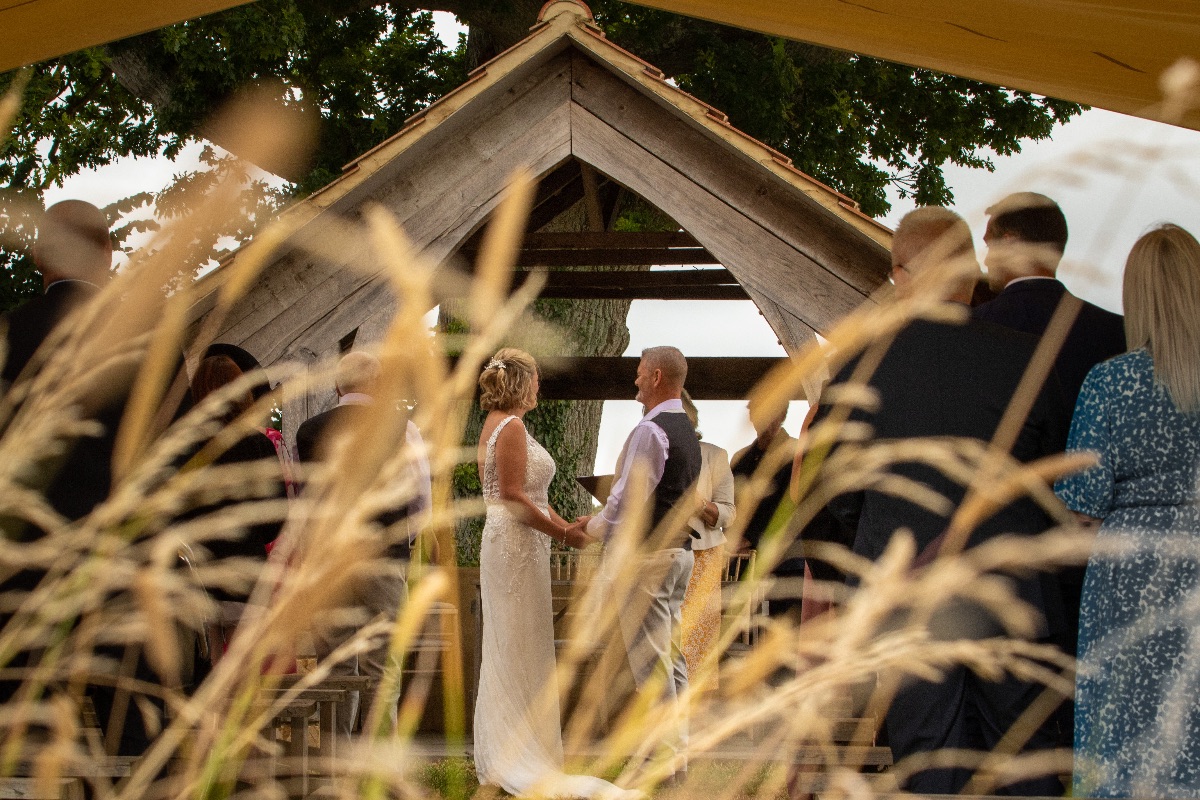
{"x":664,"y":453}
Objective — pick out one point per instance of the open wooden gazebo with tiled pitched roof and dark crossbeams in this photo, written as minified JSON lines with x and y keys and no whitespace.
{"x":589,"y":119}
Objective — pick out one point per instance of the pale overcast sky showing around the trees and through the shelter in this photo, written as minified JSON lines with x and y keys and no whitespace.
{"x":1115,"y":177}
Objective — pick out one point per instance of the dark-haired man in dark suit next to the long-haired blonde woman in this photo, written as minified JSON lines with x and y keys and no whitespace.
{"x":1027,"y":237}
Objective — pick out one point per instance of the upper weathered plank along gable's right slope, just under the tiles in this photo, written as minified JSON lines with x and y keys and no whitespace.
{"x":761,"y":196}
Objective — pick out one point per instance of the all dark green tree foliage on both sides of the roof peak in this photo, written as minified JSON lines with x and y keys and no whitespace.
{"x":856,"y":123}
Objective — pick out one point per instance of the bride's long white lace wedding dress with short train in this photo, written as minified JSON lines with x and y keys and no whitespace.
{"x":519,"y":743}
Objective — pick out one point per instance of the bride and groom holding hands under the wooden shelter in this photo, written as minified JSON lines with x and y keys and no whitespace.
{"x":519,"y":744}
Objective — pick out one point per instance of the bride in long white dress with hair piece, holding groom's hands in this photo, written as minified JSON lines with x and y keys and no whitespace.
{"x":519,"y":744}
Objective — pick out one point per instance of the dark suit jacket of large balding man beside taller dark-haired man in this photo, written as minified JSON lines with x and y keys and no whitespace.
{"x":941,"y":380}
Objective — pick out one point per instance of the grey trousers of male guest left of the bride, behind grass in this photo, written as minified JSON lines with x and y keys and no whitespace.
{"x":379,"y":594}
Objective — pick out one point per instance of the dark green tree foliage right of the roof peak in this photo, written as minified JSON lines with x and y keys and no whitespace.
{"x":855,"y":123}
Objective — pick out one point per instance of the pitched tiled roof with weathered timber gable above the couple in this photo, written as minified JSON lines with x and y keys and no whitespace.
{"x":802,"y":251}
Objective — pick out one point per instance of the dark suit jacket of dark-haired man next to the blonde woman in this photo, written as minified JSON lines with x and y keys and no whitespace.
{"x":1028,"y":306}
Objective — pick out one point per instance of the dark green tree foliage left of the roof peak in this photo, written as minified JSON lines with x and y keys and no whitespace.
{"x":367,"y":68}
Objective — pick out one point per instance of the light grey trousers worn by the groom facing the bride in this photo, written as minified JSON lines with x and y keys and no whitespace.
{"x":655,"y":640}
